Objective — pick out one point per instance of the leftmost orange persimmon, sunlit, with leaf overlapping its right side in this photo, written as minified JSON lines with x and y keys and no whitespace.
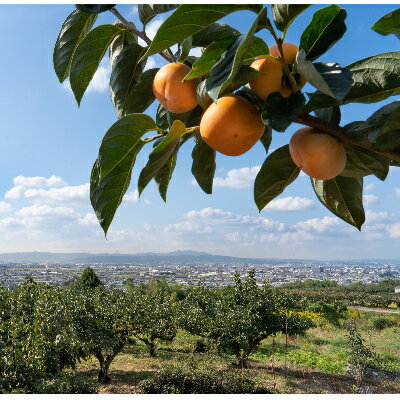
{"x":172,"y":92}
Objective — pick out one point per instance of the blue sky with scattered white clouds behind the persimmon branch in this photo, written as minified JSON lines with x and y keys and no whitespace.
{"x":48,"y":145}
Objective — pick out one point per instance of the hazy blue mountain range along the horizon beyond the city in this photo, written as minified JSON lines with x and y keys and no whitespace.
{"x":174,"y":257}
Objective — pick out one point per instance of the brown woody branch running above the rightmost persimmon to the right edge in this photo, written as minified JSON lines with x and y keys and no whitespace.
{"x":340,"y":133}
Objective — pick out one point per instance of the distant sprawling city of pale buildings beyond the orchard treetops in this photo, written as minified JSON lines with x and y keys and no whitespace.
{"x":212,"y":274}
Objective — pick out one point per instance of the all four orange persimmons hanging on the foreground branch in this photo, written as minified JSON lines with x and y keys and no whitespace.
{"x":232,"y":125}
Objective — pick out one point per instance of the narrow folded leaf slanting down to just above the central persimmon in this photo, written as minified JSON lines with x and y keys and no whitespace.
{"x":225,"y":70}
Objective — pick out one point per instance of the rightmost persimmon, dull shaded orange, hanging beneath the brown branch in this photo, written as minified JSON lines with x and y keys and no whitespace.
{"x":318,"y":154}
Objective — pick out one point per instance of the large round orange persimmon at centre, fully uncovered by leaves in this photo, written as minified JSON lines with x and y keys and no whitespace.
{"x":231,"y":125}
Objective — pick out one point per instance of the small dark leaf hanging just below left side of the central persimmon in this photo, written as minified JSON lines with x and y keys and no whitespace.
{"x":203,"y":167}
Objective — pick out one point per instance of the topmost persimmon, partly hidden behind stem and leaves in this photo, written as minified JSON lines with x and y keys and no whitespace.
{"x":272,"y":80}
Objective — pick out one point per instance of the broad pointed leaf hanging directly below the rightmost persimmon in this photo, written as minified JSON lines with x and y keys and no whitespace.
{"x":343,"y":197}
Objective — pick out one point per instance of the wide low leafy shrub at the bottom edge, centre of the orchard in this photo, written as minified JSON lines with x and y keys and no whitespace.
{"x":183,"y":378}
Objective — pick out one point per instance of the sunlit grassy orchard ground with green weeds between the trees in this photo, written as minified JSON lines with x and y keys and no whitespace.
{"x":314,"y":363}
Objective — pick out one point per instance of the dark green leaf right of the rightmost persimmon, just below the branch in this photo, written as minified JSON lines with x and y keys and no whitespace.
{"x":362,"y":162}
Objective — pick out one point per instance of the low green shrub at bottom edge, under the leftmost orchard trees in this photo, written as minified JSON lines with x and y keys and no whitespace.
{"x":66,"y":384}
